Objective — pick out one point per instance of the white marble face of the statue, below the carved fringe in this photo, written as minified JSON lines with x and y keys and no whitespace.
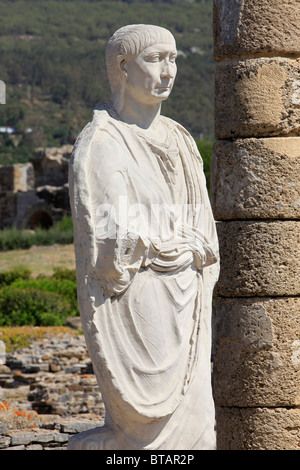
{"x":151,"y":75}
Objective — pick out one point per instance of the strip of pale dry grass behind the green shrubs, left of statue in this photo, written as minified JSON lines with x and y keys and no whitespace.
{"x":39,"y":259}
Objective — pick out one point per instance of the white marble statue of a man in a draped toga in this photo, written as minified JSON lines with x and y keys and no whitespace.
{"x":146,"y":256}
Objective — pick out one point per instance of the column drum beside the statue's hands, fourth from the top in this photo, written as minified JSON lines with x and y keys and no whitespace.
{"x":259,"y":258}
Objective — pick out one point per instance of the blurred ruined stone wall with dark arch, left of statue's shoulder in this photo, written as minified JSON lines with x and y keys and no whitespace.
{"x":35,"y":193}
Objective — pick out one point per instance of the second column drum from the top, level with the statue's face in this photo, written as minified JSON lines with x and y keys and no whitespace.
{"x":264,"y":98}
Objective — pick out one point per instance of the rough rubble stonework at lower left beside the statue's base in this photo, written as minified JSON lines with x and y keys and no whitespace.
{"x":41,"y":407}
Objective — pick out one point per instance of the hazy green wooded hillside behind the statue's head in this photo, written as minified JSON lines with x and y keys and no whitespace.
{"x":53,"y":64}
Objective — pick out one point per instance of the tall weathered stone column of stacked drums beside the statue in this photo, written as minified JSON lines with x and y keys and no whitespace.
{"x":256,"y":201}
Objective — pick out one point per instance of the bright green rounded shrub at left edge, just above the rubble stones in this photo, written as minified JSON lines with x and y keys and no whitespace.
{"x":32,"y":307}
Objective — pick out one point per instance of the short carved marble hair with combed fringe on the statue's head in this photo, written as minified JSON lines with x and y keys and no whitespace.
{"x":129,"y":41}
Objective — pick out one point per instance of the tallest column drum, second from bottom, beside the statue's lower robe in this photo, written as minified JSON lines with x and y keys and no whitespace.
{"x":256,"y":352}
